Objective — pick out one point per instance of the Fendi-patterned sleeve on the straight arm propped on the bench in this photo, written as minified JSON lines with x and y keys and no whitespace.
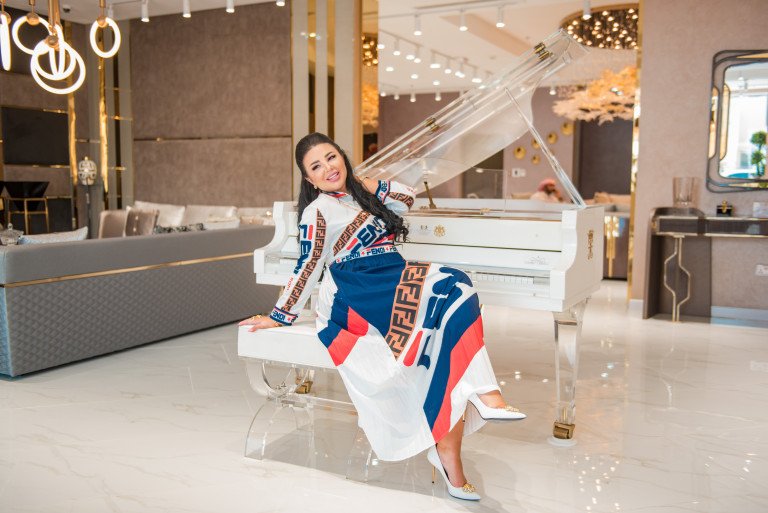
{"x":314,"y":247}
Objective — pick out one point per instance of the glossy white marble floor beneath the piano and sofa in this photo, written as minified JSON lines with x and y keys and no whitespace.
{"x":671,"y":418}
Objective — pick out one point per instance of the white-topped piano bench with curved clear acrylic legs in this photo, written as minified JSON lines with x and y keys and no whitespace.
{"x":281,"y":365}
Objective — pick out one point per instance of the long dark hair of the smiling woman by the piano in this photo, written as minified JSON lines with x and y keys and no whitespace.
{"x":365,"y":199}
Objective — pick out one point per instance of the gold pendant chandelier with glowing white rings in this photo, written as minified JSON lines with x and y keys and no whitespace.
{"x":64,"y":64}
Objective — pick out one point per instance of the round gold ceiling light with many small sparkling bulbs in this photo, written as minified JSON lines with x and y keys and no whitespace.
{"x":612,"y":27}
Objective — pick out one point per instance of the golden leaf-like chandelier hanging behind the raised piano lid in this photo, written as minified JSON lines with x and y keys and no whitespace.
{"x":607,"y":98}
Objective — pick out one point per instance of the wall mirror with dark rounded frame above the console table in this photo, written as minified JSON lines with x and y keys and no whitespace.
{"x":738,"y":121}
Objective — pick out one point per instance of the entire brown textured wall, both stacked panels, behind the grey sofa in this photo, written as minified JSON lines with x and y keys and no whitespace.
{"x":212,"y":107}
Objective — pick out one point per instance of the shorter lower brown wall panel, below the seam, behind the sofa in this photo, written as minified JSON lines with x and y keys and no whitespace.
{"x":240,"y":172}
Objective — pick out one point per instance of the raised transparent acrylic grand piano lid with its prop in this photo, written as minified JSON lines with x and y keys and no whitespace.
{"x":478,"y":124}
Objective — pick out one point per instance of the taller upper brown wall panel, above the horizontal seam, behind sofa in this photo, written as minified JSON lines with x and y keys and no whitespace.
{"x":213,"y":75}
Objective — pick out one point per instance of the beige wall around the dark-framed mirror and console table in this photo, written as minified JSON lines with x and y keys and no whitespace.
{"x":679,"y":40}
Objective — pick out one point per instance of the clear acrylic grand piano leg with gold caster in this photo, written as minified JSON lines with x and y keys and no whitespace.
{"x":567,"y":334}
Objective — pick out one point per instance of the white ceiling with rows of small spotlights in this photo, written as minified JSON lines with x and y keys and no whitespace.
{"x":483,"y":46}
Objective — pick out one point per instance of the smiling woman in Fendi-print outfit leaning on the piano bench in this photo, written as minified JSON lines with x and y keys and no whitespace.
{"x":407,"y":337}
